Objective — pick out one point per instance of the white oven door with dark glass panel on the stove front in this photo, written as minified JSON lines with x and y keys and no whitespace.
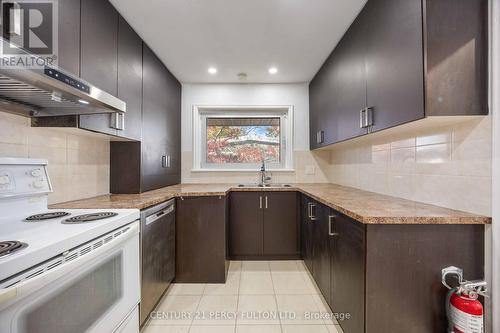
{"x":93,"y":289}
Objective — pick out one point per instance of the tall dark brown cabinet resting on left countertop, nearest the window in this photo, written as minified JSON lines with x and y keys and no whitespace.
{"x":154,"y":162}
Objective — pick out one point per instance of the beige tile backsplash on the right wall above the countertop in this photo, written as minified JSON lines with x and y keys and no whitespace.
{"x":445,"y":165}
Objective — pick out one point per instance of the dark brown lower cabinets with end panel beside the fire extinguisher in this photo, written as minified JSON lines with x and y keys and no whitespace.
{"x":386,"y":278}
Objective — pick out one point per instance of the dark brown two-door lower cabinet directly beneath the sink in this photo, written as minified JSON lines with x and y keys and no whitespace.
{"x":264,"y":224}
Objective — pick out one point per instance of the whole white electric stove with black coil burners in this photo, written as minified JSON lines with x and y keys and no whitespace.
{"x":71,"y":270}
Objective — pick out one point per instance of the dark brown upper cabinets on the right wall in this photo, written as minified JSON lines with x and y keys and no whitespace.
{"x":401,"y":61}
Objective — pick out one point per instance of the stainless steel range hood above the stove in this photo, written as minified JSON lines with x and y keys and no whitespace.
{"x":50,"y":91}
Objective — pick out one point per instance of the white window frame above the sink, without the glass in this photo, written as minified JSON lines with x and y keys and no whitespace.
{"x":201,"y":113}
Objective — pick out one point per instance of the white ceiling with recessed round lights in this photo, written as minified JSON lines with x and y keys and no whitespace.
{"x":296,"y":36}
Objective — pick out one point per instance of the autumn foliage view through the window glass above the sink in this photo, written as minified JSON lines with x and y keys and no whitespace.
{"x":243,"y":140}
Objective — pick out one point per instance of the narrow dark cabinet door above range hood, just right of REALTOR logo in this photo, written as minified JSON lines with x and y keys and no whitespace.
{"x":69,"y":36}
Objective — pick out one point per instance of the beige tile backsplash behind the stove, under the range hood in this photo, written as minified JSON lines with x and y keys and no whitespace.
{"x":78,"y":160}
